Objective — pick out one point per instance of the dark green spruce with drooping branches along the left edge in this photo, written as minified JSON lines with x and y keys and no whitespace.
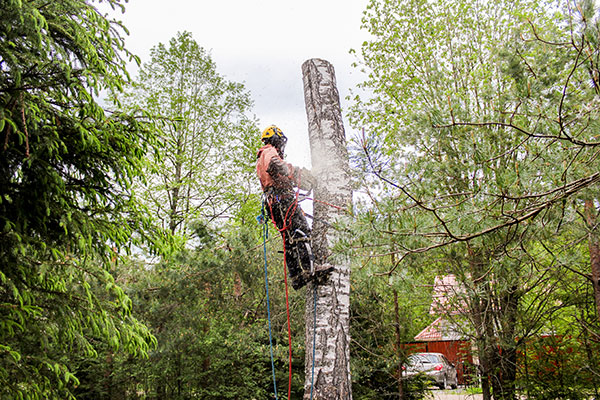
{"x":66,"y":206}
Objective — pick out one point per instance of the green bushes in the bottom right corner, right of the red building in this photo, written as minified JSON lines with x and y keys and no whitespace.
{"x":560,"y":359}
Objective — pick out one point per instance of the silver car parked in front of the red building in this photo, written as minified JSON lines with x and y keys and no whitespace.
{"x":434,"y":366}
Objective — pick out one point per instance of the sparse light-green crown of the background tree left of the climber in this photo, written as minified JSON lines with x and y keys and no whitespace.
{"x":208,"y":139}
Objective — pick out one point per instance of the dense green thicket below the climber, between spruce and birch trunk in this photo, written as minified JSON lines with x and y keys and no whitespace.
{"x":207,"y":309}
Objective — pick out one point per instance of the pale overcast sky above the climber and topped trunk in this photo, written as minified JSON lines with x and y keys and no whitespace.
{"x":263,"y":45}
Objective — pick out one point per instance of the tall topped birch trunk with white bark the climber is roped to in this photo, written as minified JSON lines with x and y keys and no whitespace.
{"x":330,"y":168}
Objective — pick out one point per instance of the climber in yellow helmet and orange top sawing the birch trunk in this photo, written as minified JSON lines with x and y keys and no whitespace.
{"x":278,"y":180}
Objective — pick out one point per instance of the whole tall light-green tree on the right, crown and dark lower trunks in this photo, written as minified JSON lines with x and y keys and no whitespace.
{"x":485,"y":128}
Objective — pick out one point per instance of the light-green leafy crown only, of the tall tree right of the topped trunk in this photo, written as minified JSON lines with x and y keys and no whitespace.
{"x":447,"y":126}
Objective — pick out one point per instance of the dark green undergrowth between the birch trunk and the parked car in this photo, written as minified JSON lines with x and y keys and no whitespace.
{"x":379,"y":330}
